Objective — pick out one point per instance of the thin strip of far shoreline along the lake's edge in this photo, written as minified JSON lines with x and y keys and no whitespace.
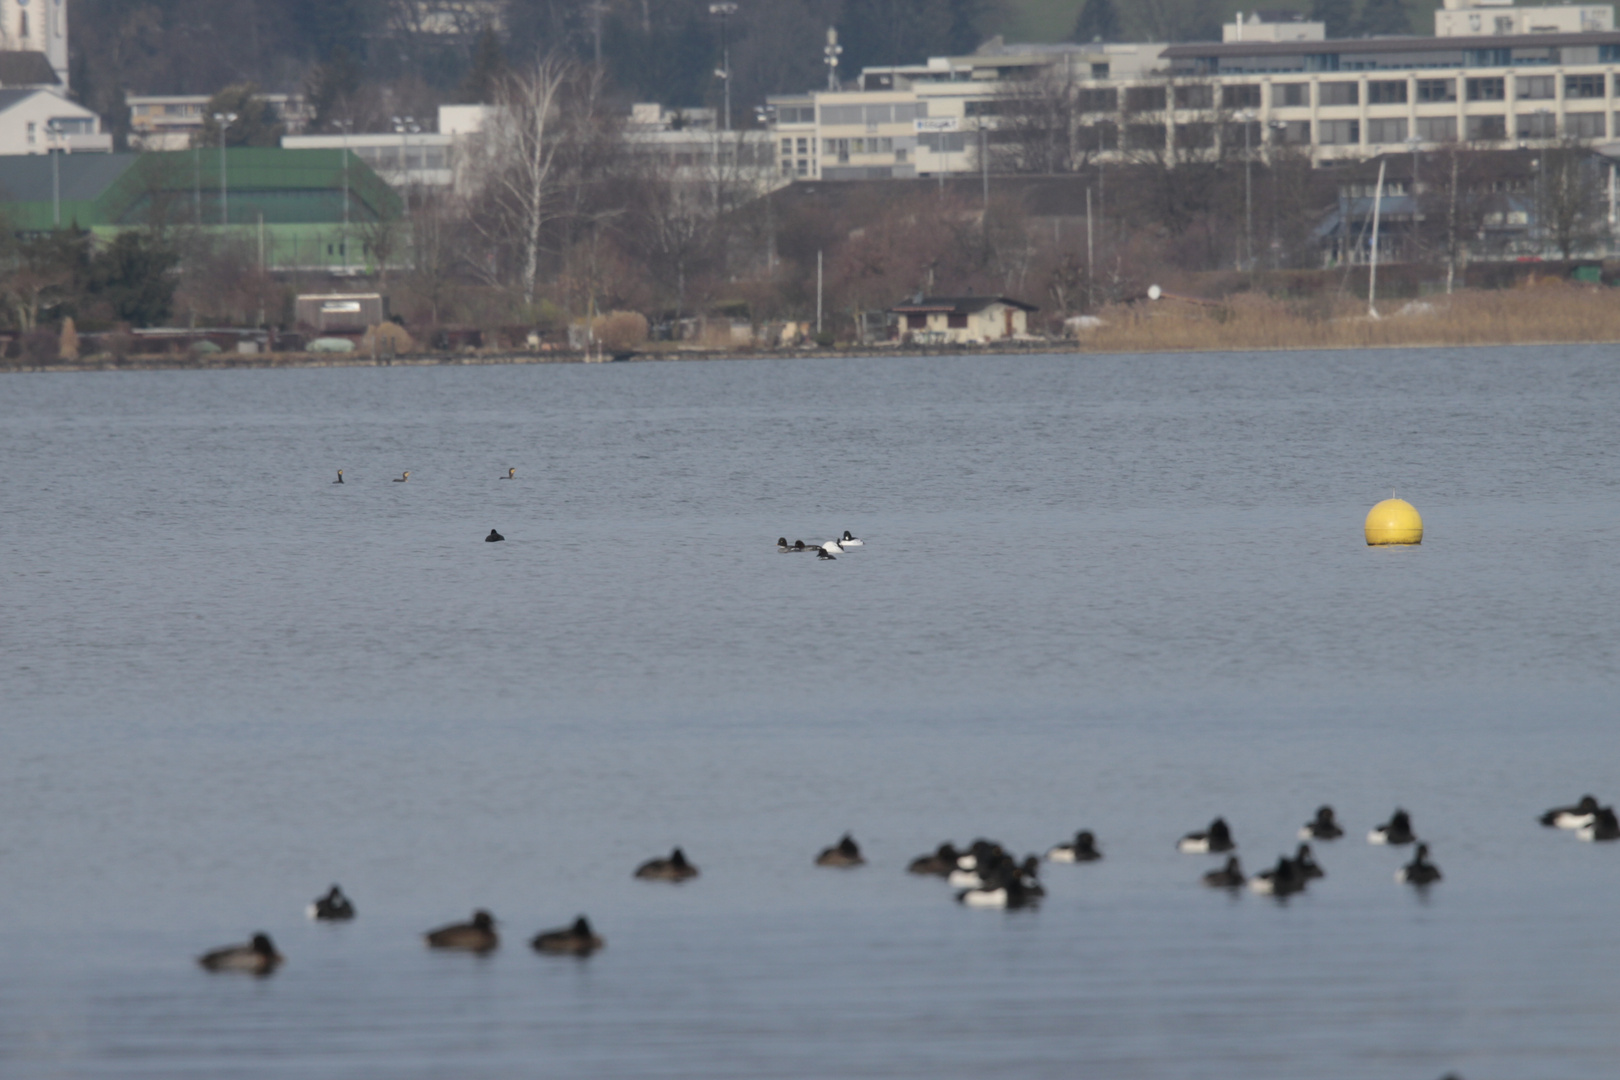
{"x":265,"y":362}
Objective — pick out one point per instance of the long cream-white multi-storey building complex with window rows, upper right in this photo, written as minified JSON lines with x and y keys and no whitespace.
{"x":1276,"y":83}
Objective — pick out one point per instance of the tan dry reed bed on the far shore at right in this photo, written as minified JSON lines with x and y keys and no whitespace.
{"x":1537,"y":315}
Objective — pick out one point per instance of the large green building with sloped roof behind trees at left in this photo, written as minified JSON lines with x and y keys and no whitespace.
{"x":291,"y":198}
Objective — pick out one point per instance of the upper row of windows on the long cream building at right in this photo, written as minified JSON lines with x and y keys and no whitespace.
{"x":1379,"y":93}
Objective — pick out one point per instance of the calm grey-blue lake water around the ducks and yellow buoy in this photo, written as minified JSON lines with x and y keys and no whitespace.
{"x":1122,"y":593}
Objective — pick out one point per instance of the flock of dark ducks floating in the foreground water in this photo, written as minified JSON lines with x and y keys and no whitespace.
{"x":983,"y":875}
